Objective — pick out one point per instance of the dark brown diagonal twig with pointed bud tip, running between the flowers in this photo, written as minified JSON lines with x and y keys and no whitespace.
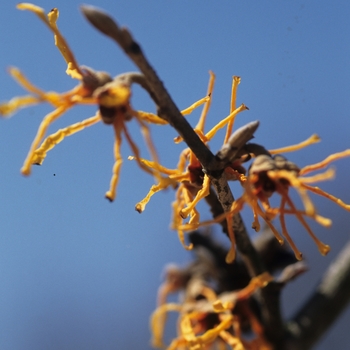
{"x":211,"y":164}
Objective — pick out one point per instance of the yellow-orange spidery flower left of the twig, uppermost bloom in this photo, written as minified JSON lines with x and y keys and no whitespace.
{"x":110,"y":95}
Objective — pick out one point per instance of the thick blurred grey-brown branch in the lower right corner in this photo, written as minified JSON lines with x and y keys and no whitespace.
{"x":323,"y":307}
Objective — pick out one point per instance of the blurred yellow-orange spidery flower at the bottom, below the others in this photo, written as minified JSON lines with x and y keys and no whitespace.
{"x":204,"y":321}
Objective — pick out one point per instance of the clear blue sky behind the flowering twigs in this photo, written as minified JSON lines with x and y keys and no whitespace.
{"x":79,"y":272}
